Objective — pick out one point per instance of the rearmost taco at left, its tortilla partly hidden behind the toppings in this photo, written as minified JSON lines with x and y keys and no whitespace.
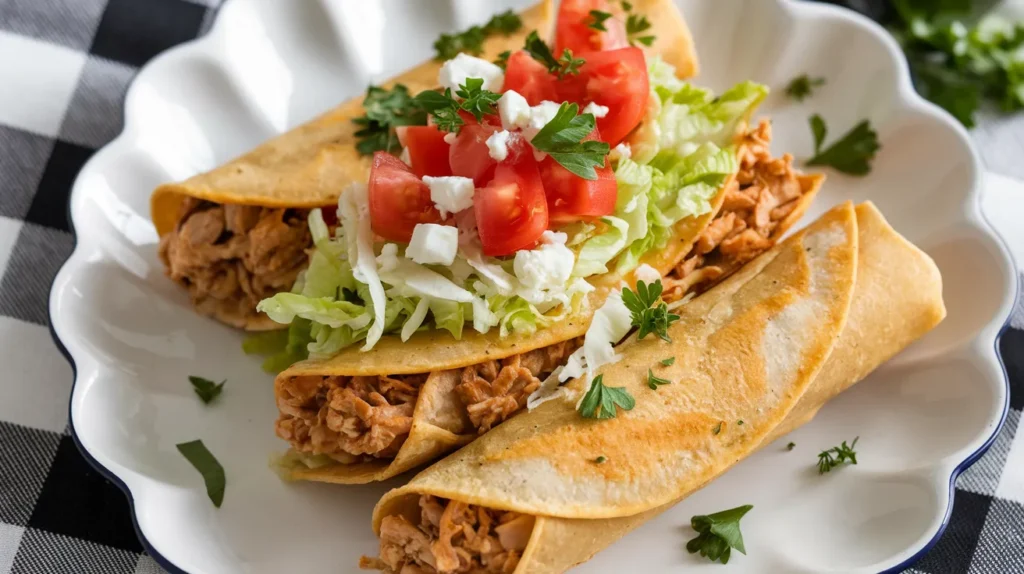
{"x":239,"y":234}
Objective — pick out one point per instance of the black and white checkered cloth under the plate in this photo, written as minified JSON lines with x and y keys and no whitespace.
{"x":65,"y":66}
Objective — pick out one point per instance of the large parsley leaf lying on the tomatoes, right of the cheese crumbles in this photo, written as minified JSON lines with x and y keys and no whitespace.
{"x":563,"y":140}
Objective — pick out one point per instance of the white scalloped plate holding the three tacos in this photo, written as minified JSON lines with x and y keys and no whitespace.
{"x":269,"y":66}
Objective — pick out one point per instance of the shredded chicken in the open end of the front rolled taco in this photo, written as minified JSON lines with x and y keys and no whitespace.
{"x":452,"y":538}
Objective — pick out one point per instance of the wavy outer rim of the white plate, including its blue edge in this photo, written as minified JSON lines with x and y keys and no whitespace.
{"x":908,"y":94}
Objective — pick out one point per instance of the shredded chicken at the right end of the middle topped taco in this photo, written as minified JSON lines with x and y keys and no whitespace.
{"x":765,"y":192}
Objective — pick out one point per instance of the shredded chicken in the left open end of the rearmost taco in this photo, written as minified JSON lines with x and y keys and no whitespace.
{"x":231,"y":256}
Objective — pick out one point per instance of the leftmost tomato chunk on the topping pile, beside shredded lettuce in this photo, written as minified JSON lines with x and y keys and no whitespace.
{"x":399,"y":200}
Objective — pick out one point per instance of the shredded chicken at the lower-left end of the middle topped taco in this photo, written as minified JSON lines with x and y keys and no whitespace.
{"x":355,"y":419}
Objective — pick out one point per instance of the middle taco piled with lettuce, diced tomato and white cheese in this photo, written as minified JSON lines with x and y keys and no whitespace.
{"x":397,"y":377}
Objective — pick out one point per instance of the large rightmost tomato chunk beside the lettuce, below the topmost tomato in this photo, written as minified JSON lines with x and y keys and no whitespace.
{"x":617,"y":79}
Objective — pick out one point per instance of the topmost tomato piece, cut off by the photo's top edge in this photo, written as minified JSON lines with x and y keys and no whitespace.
{"x":573,"y":29}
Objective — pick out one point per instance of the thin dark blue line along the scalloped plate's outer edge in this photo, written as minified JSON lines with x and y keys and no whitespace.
{"x":960,"y":469}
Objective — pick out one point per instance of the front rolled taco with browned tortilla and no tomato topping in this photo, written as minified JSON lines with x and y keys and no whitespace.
{"x":769,"y":347}
